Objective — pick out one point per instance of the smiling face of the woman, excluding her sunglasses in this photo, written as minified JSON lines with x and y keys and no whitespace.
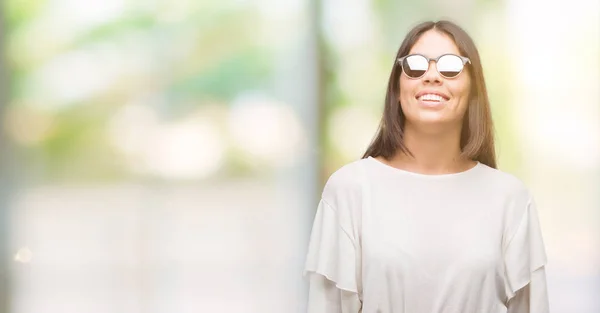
{"x":454,"y":92}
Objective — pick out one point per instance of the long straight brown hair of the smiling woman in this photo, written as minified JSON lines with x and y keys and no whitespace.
{"x":477,"y":137}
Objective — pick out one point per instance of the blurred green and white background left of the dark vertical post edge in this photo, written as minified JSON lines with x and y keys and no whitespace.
{"x":167,"y":155}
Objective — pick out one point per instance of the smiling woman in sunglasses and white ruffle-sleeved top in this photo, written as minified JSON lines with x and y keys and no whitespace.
{"x":424,"y":222}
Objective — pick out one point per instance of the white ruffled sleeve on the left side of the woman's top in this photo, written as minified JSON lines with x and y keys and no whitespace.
{"x":331,"y":264}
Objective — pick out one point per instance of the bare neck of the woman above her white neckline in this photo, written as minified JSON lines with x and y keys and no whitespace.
{"x":432,"y":152}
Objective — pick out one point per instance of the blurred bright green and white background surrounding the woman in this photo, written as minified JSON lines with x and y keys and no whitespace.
{"x":168,"y":156}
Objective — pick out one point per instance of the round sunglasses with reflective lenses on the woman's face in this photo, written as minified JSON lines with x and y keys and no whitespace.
{"x":448,"y":65}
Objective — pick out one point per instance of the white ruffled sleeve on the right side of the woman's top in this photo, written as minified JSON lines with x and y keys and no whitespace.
{"x":525,"y":260}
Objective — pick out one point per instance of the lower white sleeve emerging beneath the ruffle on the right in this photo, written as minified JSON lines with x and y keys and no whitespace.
{"x":533,"y":298}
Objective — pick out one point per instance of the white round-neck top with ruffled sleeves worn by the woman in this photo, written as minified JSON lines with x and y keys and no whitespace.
{"x":386,"y":240}
